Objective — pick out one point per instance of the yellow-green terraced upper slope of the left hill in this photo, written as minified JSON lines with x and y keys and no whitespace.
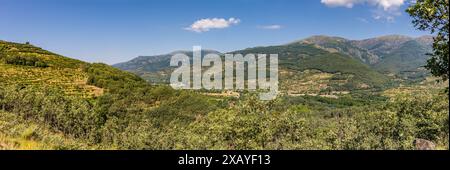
{"x":27,"y":65}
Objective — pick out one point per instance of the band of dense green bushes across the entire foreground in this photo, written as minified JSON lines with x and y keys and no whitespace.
{"x":192,"y":123}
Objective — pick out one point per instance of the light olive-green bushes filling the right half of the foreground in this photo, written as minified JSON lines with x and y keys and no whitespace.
{"x":254,"y":125}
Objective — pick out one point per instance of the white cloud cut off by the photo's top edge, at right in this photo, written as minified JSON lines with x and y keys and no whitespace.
{"x":385,"y":4}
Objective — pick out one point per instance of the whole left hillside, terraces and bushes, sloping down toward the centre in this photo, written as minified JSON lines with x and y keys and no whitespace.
{"x":48,"y":101}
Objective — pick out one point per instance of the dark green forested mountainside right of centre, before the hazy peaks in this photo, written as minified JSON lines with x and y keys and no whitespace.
{"x":346,"y":73}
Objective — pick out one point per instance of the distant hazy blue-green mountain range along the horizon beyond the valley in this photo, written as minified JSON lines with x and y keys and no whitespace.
{"x":322,"y":63}
